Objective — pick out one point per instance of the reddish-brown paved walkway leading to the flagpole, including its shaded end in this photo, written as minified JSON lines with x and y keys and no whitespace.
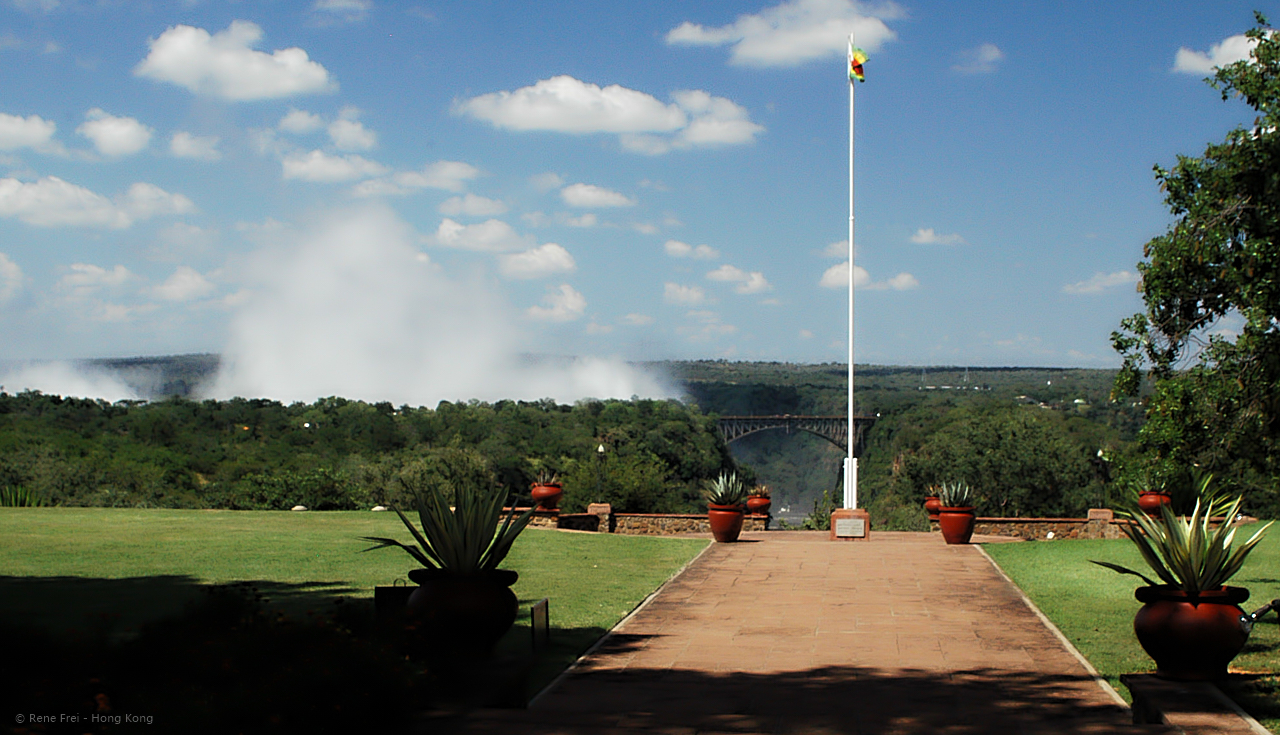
{"x":792,"y":633}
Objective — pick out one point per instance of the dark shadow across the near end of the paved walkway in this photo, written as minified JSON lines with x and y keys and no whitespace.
{"x":836,"y":700}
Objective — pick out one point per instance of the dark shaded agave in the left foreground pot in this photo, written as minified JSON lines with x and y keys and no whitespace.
{"x":463,"y":541}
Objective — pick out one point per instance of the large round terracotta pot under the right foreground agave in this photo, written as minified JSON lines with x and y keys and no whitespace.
{"x":1192,"y":638}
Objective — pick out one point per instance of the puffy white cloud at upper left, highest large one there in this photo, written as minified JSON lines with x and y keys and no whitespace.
{"x":226,"y":65}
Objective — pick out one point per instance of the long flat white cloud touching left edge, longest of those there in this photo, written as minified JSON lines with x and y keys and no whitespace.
{"x":56,"y":203}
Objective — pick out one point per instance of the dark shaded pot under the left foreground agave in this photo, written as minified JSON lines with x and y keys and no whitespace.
{"x":461,"y":614}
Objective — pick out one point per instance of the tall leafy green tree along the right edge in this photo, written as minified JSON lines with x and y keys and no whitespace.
{"x":1209,"y":336}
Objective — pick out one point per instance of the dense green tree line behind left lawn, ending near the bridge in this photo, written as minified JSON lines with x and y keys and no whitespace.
{"x":340,"y":454}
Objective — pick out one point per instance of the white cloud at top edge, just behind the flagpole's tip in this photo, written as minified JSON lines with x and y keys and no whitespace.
{"x":796,"y":33}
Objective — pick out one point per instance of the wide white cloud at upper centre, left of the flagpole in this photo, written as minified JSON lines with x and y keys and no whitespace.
{"x":646,"y":125}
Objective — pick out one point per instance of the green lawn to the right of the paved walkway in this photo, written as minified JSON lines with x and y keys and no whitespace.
{"x":1095,"y":608}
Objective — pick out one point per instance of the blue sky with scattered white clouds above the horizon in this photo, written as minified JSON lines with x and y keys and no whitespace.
{"x":637,"y":181}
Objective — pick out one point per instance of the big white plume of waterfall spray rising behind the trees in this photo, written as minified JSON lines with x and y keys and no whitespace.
{"x":354,"y":309}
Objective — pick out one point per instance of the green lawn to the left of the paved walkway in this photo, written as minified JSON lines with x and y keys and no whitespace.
{"x":76,"y":568}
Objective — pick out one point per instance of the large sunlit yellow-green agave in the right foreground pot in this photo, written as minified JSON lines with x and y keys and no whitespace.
{"x":1188,"y":554}
